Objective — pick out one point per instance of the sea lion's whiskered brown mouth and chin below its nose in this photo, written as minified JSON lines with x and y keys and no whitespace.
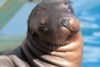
{"x":62,"y":39}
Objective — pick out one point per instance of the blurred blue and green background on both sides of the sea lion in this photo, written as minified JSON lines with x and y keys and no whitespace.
{"x":13,"y":26}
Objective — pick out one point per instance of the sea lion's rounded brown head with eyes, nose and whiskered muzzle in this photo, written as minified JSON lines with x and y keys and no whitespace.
{"x":54,"y":23}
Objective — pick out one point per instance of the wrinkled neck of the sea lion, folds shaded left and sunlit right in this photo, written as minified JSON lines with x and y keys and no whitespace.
{"x":33,"y":49}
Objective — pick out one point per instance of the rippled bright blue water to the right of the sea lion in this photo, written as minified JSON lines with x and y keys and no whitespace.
{"x":89,"y":15}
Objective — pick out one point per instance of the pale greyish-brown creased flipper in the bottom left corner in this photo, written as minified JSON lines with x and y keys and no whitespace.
{"x":12,"y":61}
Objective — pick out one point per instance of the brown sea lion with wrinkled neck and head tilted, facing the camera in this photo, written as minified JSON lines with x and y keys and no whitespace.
{"x":53,"y":38}
